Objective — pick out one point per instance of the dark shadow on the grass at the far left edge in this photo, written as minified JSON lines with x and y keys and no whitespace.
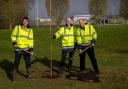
{"x":7,"y":66}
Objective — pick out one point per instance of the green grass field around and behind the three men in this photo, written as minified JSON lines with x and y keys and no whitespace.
{"x":111,"y":53}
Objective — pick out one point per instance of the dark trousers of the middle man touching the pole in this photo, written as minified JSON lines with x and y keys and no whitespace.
{"x":63,"y":59}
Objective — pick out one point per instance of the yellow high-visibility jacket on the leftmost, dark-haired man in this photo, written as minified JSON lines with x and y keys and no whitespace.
{"x":23,"y":37}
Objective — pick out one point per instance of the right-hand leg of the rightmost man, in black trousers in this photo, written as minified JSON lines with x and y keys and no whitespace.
{"x":91,"y":55}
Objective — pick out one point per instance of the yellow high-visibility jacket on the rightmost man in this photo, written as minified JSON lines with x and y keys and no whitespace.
{"x":86,"y":35}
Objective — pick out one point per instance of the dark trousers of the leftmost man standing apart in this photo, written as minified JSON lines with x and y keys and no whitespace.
{"x":18,"y":57}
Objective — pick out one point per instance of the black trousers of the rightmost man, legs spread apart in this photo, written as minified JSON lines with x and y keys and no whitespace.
{"x":91,"y":55}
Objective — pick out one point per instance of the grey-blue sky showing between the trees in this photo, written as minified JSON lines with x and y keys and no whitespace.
{"x":76,"y":7}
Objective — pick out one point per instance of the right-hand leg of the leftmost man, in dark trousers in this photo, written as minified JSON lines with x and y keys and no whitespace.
{"x":28,"y":64}
